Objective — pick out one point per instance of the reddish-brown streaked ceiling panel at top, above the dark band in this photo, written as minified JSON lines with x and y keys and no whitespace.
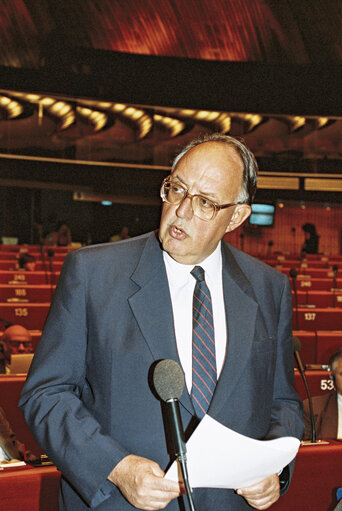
{"x":271,"y":31}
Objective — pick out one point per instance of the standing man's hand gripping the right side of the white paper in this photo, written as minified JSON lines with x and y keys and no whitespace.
{"x":263,"y":494}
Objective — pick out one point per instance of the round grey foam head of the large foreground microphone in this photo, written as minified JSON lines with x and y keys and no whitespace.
{"x":168,"y":380}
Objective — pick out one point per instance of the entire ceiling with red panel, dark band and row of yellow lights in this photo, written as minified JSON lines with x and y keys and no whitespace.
{"x":289,"y":50}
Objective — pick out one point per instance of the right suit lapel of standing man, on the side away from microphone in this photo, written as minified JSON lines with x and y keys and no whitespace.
{"x":241,"y":312}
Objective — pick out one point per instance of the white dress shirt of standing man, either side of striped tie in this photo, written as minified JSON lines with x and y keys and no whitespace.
{"x":182,"y":285}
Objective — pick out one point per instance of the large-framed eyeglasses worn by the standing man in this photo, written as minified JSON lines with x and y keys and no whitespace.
{"x":205,"y":209}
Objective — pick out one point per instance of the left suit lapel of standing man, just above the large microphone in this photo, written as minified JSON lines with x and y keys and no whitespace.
{"x":152,"y":307}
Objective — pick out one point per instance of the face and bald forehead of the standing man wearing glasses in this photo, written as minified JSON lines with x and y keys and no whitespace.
{"x":214,"y":170}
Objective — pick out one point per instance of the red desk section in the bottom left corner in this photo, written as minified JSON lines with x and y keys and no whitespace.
{"x":29,"y":488}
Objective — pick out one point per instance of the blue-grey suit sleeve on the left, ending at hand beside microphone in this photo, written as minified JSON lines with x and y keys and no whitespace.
{"x":53,"y":399}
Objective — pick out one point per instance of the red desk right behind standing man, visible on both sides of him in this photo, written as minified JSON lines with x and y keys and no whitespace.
{"x":316,"y":477}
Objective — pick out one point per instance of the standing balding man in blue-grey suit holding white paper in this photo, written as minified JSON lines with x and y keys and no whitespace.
{"x":121,"y":307}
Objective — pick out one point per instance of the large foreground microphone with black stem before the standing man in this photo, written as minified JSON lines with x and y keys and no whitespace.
{"x":168,"y":380}
